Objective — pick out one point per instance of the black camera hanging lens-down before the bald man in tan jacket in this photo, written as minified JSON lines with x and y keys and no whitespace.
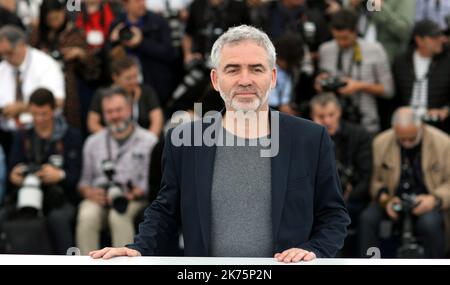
{"x":409,"y":247}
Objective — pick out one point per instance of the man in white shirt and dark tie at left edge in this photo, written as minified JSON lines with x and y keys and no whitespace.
{"x":23,"y":70}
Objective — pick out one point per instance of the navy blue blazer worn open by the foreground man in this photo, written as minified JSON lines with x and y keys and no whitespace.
{"x":308,"y":211}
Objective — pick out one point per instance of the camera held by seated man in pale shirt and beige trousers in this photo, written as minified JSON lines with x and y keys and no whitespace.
{"x":113,"y":189}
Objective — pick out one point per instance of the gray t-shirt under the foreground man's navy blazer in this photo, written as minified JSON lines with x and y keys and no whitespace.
{"x":241,"y":223}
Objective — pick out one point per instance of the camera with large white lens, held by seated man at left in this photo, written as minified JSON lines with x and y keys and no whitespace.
{"x":30,"y":196}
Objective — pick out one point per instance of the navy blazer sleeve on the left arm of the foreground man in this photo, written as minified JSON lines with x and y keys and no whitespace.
{"x":161,"y":218}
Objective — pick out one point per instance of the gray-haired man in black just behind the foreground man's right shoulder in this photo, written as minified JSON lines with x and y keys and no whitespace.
{"x":352,"y":149}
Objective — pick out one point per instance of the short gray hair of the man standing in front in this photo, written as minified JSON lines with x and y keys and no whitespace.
{"x":240,"y":34}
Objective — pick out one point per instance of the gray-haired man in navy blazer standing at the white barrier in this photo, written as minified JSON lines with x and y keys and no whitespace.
{"x":232,"y":200}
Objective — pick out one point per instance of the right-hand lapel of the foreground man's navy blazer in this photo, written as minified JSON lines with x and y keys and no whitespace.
{"x":279,"y":170}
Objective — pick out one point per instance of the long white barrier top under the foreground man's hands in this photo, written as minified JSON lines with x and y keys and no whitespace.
{"x":86,"y":260}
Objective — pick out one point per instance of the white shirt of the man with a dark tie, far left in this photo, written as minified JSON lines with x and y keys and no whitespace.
{"x":38,"y":70}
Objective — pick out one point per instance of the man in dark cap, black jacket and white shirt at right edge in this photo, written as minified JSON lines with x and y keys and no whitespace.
{"x":427,"y":86}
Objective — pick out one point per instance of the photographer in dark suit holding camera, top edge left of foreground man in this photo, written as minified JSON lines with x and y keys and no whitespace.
{"x":146,"y":36}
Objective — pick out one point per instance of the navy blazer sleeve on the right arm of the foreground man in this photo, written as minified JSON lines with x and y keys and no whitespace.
{"x":330,"y":214}
